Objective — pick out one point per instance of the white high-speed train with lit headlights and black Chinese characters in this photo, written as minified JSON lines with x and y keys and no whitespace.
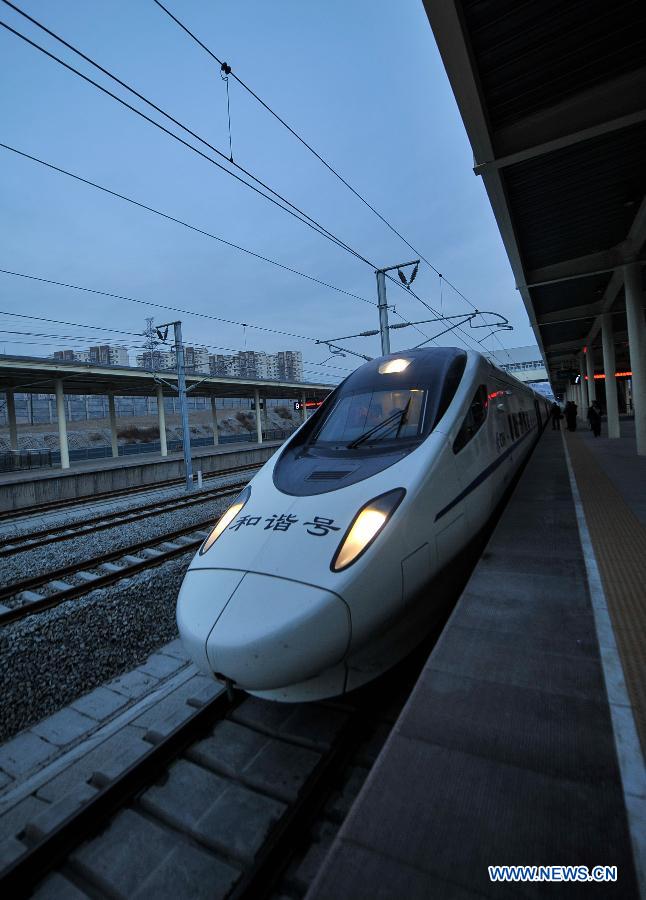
{"x":311,"y":583}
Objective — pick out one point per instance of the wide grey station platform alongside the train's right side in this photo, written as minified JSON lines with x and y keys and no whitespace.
{"x":519,"y":744}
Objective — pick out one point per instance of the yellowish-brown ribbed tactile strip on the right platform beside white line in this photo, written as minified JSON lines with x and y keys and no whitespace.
{"x":619,"y":541}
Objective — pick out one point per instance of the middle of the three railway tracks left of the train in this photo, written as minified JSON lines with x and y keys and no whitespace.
{"x":113,"y":518}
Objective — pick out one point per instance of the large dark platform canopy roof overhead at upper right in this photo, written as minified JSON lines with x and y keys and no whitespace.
{"x":553,"y":98}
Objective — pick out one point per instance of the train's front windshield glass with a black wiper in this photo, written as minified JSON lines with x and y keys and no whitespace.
{"x":369,"y":417}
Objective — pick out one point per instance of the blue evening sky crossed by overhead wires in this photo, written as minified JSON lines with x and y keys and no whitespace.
{"x":362,"y":81}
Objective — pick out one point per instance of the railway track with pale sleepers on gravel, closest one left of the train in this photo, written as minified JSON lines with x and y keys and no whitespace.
{"x":99,"y":571}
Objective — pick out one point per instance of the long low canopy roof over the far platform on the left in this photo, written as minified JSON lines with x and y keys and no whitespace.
{"x":40,"y":376}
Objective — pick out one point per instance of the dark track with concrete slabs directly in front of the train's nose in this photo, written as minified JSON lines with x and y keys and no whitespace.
{"x":221,"y":806}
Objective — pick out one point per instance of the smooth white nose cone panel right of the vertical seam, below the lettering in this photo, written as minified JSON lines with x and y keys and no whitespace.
{"x":274,"y":632}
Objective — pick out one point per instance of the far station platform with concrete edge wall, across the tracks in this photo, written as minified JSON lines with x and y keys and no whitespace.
{"x":19,"y":490}
